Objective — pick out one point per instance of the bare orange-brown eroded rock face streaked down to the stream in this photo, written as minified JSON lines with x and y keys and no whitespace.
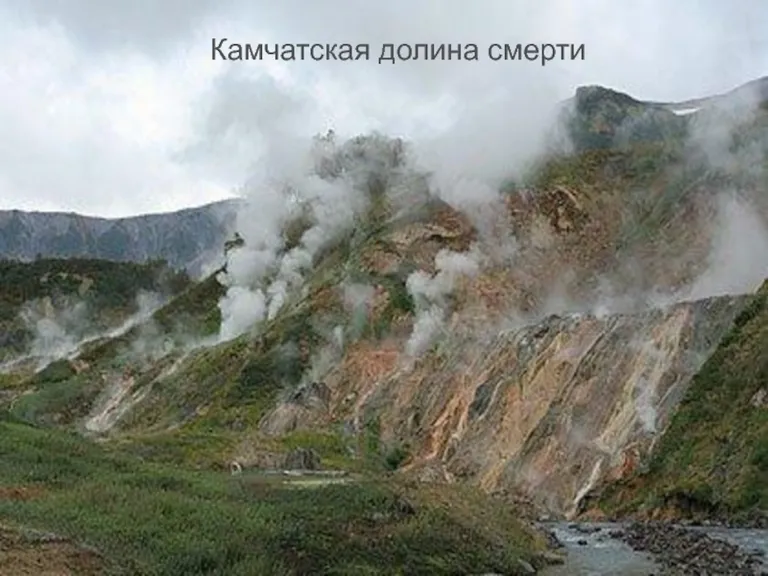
{"x":551,"y":408}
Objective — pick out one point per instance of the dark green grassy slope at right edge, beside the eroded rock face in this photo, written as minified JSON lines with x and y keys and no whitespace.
{"x":713,"y":458}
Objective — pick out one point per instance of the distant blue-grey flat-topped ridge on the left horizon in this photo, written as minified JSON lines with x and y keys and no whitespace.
{"x":186,"y":239}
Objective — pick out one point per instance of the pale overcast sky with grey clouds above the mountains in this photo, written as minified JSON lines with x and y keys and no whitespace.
{"x":114,"y":107}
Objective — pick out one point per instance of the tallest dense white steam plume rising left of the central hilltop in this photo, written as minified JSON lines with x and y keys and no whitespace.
{"x":332,"y":187}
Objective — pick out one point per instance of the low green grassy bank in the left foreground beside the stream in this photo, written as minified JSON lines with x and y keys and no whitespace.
{"x":151,"y":519}
